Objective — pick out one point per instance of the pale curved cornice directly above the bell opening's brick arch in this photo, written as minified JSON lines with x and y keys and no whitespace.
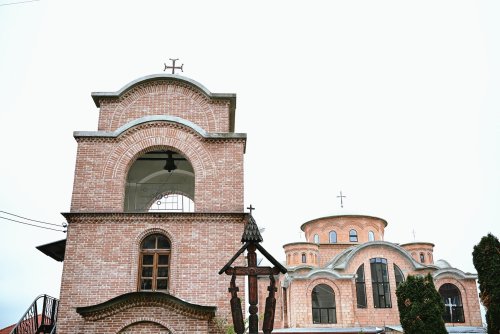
{"x":156,"y":118}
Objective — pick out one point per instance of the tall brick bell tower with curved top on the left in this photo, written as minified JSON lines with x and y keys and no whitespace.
{"x":156,"y":211}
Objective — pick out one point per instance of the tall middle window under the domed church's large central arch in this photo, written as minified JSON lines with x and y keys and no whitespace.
{"x":380,"y":283}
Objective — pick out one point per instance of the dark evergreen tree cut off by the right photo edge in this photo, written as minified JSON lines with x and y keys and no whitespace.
{"x":486,"y":258}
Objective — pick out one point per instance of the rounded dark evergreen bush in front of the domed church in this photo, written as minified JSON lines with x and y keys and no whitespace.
{"x":420,"y":306}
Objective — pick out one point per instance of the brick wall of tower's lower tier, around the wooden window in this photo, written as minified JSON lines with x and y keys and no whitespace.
{"x":102,"y":254}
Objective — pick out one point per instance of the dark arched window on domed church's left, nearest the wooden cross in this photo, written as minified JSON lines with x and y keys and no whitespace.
{"x":323,"y":305}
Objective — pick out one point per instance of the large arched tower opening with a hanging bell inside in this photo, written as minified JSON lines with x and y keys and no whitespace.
{"x":160,"y":180}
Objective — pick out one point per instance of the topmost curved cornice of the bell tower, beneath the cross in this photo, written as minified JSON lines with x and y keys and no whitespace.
{"x":231,"y":97}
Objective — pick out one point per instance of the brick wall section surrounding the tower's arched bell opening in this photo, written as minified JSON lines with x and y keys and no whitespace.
{"x":103,"y":163}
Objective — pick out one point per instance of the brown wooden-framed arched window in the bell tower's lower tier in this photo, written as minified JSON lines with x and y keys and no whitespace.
{"x":154,"y":263}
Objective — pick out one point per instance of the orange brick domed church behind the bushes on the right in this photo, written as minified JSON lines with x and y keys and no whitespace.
{"x":345,"y":276}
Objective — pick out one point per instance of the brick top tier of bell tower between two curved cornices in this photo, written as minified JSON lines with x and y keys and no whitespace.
{"x":164,"y":97}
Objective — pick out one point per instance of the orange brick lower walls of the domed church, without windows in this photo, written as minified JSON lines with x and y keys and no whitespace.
{"x":348,"y":314}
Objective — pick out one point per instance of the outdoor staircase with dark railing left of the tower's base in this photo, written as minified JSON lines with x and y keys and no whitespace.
{"x":43,"y":323}
